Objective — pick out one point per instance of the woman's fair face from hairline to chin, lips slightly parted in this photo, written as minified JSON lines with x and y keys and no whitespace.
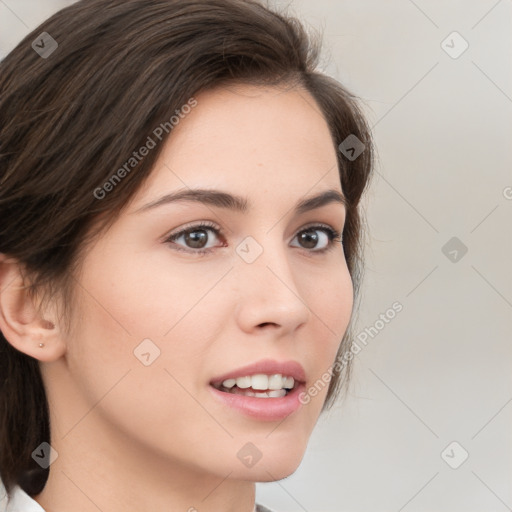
{"x":160,"y":320}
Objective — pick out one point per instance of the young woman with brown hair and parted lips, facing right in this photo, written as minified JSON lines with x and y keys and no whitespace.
{"x":175,"y":182}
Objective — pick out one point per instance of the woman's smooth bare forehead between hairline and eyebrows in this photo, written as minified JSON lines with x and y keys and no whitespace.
{"x":250,"y":140}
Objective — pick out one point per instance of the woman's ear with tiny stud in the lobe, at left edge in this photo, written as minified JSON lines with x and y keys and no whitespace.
{"x":22,"y":325}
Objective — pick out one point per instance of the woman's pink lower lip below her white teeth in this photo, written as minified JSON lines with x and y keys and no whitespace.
{"x":266,"y":409}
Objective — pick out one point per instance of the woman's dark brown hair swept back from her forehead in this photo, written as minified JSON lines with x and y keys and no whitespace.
{"x":72,"y":117}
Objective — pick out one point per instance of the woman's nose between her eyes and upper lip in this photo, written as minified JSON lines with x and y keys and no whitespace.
{"x":269,"y":292}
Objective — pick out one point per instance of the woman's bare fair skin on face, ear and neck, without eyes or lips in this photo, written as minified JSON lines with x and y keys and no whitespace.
{"x":128,"y":436}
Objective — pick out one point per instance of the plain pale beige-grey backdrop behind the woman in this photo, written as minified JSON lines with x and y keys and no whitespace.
{"x":440,"y":371}
